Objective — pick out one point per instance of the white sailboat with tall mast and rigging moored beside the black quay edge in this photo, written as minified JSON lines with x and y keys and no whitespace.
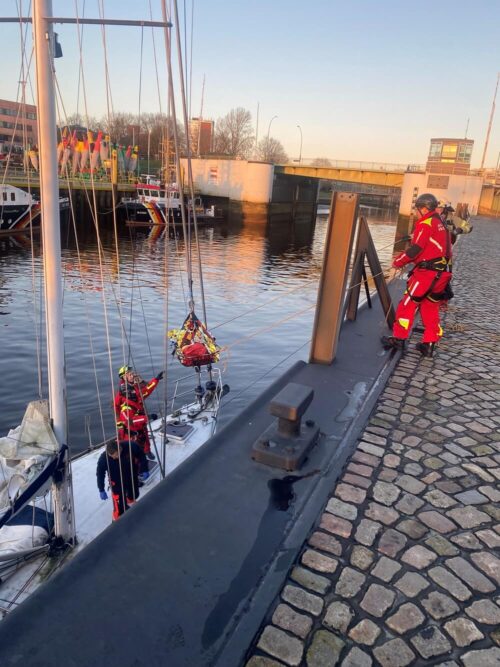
{"x":49,"y":505}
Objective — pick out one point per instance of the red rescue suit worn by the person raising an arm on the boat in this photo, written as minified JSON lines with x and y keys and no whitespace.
{"x":130,"y":412}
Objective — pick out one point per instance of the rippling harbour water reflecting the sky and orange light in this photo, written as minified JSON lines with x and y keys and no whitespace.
{"x":260,"y":284}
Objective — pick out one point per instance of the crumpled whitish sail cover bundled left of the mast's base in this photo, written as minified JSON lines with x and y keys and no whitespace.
{"x":24,"y":452}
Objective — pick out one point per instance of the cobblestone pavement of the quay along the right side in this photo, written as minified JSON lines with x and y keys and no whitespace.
{"x":403,"y":565}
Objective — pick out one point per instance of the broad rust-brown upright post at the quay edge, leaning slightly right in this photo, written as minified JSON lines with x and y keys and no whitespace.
{"x":333,"y":281}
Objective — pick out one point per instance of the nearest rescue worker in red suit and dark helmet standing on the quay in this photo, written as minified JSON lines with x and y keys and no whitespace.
{"x":428,"y":281}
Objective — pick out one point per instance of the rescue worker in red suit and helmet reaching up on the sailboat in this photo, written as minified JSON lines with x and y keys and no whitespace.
{"x":130,"y":411}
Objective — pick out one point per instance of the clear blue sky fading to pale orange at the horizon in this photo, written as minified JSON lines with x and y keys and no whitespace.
{"x":359,"y":80}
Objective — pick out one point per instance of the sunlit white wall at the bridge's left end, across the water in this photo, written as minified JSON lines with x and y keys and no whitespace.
{"x":239,"y":180}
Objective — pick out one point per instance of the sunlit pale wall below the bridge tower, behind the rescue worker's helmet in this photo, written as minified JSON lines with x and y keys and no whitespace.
{"x":464,"y":189}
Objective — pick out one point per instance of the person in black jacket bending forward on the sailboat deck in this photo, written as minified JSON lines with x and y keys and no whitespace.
{"x":125,"y":462}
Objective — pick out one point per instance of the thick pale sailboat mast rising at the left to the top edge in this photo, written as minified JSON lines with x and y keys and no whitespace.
{"x":51,"y":238}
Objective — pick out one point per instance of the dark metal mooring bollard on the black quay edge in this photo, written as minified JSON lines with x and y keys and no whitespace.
{"x":286,"y":443}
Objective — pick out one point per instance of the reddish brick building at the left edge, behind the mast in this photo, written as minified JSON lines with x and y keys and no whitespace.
{"x":18,"y":126}
